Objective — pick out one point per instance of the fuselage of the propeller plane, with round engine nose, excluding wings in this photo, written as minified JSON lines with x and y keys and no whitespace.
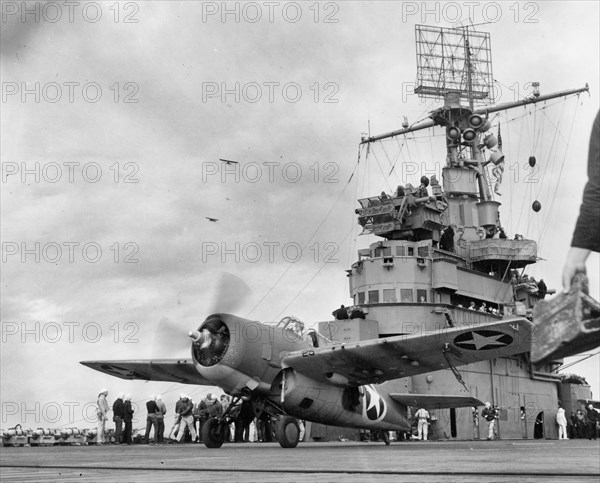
{"x":245,"y":357}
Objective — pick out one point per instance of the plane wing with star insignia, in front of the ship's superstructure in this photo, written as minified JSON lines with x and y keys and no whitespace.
{"x":378,"y":360}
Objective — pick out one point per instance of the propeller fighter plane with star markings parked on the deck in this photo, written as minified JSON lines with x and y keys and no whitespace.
{"x":292,"y":373}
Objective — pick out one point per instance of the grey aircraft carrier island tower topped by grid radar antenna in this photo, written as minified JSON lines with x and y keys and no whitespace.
{"x":444,"y":259}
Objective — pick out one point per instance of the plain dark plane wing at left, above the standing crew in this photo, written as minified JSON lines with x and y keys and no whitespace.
{"x":171,"y":370}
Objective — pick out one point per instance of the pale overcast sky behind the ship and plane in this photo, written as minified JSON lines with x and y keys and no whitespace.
{"x":120,"y":116}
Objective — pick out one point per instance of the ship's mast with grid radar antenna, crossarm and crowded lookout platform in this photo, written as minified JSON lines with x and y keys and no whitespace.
{"x":454,"y":65}
